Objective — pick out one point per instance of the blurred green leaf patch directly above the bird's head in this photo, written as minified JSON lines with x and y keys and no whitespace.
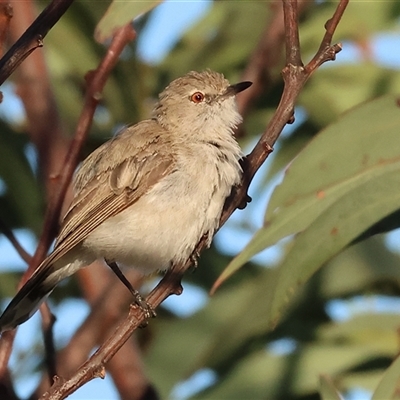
{"x":222,"y":39}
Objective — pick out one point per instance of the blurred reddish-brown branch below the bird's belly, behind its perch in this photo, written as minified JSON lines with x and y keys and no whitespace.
{"x":108,"y":302}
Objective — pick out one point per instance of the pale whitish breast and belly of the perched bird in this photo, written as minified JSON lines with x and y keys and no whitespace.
{"x":165,"y":225}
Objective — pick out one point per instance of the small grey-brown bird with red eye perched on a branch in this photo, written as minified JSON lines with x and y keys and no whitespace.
{"x":146,"y":197}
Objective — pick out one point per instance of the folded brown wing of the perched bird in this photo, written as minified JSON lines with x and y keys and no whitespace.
{"x":111,"y":179}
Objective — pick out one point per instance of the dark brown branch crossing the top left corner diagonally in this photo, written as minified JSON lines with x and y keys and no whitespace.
{"x":32,"y":38}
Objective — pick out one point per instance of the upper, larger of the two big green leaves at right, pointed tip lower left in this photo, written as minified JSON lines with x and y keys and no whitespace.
{"x":353,"y":154}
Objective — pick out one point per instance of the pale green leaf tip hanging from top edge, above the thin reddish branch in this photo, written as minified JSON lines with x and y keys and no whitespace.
{"x":120,"y":13}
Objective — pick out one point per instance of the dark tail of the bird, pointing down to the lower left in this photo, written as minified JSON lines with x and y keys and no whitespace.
{"x":35,"y":291}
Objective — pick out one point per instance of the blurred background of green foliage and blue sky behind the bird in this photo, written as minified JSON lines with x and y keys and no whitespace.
{"x":343,"y":323}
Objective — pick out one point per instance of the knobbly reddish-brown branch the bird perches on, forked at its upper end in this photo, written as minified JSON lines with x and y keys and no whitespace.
{"x":295,"y":76}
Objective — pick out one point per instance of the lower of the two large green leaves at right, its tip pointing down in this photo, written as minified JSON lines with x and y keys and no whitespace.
{"x":334,"y":229}
